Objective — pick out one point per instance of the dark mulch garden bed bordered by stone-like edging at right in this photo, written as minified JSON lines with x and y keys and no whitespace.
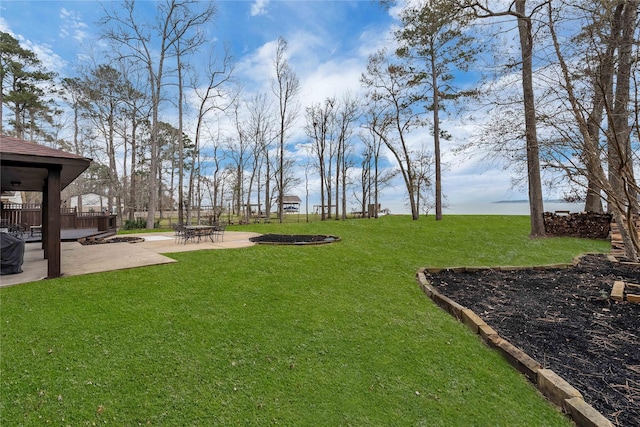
{"x":565,"y":320}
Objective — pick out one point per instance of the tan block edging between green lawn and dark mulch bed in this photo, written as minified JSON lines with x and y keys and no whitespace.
{"x":552,"y":386}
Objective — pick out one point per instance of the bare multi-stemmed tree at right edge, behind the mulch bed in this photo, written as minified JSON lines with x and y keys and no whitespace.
{"x":618,"y":184}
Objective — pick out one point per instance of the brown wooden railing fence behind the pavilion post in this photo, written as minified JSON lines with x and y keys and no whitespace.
{"x":28,"y":214}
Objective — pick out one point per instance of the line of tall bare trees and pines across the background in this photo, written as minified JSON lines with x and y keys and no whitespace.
{"x":561,"y":104}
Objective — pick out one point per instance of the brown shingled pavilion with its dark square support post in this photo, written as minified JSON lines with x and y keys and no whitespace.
{"x":27,"y":166}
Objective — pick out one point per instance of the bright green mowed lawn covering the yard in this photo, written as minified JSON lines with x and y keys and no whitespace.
{"x":326,"y":335}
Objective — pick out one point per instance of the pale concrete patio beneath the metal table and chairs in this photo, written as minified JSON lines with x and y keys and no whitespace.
{"x":77,"y":259}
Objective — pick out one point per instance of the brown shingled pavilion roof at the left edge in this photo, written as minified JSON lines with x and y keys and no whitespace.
{"x":25,"y":164}
